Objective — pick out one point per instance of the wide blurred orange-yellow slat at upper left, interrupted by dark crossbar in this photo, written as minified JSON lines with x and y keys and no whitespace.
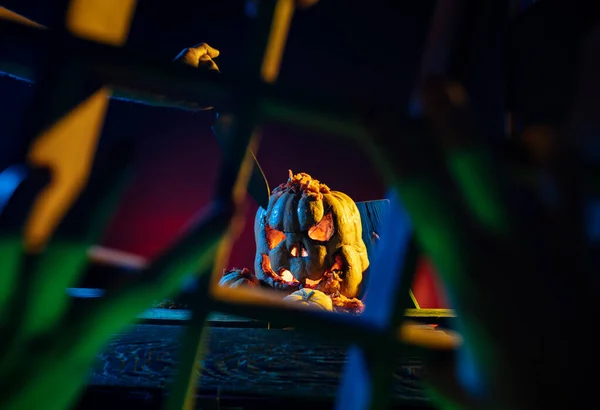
{"x":68,"y":146}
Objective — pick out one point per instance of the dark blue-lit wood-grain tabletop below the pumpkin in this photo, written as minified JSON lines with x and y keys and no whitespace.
{"x":257,"y":362}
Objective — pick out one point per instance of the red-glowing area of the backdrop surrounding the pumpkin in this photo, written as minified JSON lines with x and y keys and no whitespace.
{"x":176,"y":178}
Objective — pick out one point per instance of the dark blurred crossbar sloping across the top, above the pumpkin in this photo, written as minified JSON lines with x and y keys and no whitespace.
{"x":184,"y":86}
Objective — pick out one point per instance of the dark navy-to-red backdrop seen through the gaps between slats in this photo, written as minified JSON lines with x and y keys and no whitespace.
{"x":367,"y":50}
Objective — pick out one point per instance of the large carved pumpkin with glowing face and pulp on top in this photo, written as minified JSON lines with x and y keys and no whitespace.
{"x":306,"y":231}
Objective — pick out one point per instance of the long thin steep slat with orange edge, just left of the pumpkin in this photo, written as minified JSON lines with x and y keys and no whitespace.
{"x":263,"y":60}
